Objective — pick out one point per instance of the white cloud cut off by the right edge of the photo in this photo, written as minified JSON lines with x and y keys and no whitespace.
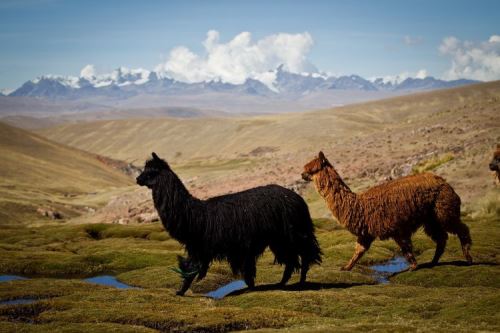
{"x":472,"y":60}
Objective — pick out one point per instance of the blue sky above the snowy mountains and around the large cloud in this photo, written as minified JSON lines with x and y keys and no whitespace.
{"x":369,"y":38}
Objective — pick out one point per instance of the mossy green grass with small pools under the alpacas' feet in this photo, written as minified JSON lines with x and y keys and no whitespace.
{"x":450,"y":297}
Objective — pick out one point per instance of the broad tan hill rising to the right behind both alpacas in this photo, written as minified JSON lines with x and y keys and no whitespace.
{"x":368,"y":142}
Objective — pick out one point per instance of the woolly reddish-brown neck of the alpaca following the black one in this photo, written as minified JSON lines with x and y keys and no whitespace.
{"x":342,"y":202}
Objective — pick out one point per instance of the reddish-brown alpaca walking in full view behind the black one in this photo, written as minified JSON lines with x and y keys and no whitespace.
{"x":395,"y":209}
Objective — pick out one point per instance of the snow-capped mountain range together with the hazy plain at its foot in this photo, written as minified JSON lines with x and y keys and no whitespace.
{"x":135,"y":91}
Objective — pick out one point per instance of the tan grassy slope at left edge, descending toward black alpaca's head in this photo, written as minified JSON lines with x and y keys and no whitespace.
{"x":35,"y":172}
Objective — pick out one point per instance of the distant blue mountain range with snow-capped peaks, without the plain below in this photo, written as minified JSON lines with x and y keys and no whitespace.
{"x":124,"y":83}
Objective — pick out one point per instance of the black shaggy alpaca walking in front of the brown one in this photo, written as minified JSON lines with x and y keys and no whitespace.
{"x":235,"y":227}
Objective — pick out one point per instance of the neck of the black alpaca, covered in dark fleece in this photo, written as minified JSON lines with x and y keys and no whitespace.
{"x":175,"y":206}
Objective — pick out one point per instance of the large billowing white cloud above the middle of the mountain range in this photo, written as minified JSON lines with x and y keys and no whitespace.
{"x":239,"y":58}
